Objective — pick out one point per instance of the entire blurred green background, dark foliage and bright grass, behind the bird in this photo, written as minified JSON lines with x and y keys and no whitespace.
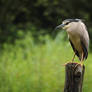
{"x":31,"y":60}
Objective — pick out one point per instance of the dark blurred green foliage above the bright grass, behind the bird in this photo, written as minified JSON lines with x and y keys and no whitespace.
{"x":46,"y":14}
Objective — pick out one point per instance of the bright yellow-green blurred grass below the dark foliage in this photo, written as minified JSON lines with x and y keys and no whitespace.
{"x":30,"y":67}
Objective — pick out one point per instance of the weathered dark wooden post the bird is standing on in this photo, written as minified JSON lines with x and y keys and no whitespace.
{"x":74,"y":77}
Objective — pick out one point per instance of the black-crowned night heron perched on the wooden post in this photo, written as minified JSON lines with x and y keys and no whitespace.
{"x":78,"y":37}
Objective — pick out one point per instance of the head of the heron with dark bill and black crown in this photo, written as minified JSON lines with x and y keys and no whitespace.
{"x":68,"y":23}
